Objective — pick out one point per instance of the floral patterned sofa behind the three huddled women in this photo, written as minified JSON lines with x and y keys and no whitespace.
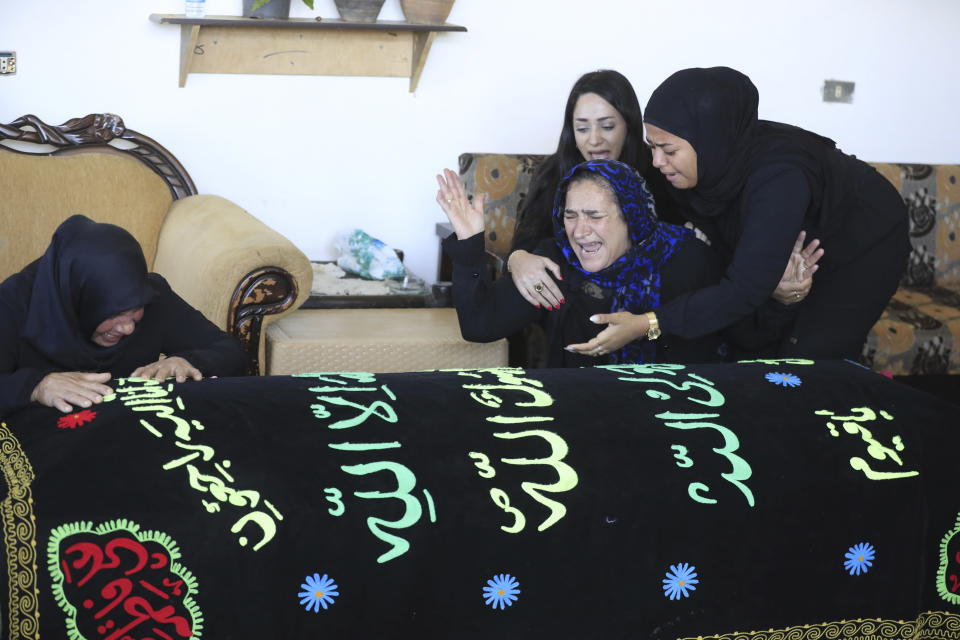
{"x":918,"y":333}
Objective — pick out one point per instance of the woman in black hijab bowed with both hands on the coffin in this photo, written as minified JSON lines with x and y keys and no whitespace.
{"x":87,"y":311}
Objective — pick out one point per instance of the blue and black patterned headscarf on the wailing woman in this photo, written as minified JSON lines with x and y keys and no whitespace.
{"x":634,"y":277}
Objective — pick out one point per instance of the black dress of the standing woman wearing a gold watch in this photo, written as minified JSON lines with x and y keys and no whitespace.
{"x":863,"y":261}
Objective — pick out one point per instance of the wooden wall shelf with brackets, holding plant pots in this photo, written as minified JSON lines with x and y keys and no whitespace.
{"x":303,"y":46}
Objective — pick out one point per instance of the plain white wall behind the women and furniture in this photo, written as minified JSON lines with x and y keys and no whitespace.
{"x":313,"y":156}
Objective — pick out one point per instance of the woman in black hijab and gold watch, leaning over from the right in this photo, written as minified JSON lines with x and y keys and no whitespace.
{"x":751,"y":185}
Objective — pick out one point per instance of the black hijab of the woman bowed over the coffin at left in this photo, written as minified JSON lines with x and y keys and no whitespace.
{"x":90,"y":272}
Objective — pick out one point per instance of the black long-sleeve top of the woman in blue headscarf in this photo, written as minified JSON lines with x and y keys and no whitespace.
{"x":489,"y":310}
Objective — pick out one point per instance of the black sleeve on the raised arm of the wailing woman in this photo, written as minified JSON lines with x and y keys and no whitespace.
{"x":487,"y":310}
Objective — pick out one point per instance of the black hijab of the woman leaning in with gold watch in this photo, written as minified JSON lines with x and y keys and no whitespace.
{"x":715,"y":110}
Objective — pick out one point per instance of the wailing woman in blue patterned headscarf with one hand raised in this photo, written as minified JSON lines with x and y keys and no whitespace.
{"x":615,"y":256}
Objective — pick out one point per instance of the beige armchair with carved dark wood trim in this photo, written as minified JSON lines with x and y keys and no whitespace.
{"x":237,"y":271}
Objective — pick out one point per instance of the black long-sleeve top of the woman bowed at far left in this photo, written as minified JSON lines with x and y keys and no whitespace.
{"x":169,"y":326}
